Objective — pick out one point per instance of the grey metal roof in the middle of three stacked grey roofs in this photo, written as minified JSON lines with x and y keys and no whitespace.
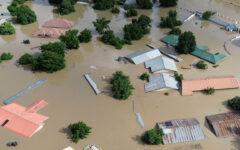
{"x":161,"y":64}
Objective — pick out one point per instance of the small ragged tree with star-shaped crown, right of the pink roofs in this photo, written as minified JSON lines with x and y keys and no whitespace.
{"x":101,"y":25}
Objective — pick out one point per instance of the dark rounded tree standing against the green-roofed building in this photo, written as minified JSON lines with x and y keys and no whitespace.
{"x":186,"y":43}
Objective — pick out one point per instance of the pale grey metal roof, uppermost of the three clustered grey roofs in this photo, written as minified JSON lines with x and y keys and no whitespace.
{"x":143,"y":55}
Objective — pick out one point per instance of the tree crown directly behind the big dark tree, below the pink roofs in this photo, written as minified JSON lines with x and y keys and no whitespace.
{"x":56,"y":47}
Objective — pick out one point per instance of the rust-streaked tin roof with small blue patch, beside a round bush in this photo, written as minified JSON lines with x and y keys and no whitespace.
{"x":181,"y":130}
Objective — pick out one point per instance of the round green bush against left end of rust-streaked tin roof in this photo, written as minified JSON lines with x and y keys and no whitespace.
{"x":153,"y":137}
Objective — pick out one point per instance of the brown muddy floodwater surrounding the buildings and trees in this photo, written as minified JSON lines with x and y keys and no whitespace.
{"x":114,"y":125}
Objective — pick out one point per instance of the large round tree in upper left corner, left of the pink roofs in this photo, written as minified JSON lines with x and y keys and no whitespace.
{"x":25,"y":15}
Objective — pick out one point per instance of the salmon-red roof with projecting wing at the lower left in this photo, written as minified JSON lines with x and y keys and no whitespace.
{"x":23,"y":120}
